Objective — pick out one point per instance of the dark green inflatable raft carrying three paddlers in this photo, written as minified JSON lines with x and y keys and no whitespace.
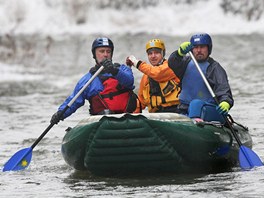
{"x":150,"y":143}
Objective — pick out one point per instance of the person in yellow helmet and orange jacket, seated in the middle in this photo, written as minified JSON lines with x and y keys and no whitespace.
{"x":159,"y":87}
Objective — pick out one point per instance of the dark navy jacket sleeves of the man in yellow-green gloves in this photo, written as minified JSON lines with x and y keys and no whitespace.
{"x":215,"y":74}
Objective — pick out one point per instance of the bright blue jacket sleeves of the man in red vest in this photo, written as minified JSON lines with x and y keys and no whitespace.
{"x":124,"y":76}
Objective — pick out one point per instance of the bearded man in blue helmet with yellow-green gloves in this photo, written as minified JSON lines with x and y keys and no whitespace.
{"x":195,"y":98}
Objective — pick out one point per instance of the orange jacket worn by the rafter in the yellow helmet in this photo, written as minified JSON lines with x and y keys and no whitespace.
{"x":163,"y":75}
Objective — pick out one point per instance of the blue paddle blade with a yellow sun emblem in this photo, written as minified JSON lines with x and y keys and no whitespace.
{"x":19,"y":161}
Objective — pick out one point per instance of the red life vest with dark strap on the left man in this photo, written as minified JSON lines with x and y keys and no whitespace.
{"x":113,"y":97}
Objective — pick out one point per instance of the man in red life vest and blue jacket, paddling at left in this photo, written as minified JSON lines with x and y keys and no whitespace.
{"x":110,"y":92}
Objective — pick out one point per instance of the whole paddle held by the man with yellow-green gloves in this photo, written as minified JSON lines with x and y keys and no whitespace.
{"x":247,"y":158}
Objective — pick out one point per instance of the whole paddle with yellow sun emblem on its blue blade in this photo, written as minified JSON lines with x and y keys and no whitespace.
{"x":21,"y":159}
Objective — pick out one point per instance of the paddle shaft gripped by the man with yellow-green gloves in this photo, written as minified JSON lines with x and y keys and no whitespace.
{"x":215,"y":98}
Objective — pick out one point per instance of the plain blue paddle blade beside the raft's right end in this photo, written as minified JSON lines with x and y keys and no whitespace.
{"x":248,"y":158}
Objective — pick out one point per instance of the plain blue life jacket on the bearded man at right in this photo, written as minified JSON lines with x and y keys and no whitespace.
{"x":193,"y":86}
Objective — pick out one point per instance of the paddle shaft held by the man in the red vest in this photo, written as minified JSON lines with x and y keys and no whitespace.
{"x":68,"y":105}
